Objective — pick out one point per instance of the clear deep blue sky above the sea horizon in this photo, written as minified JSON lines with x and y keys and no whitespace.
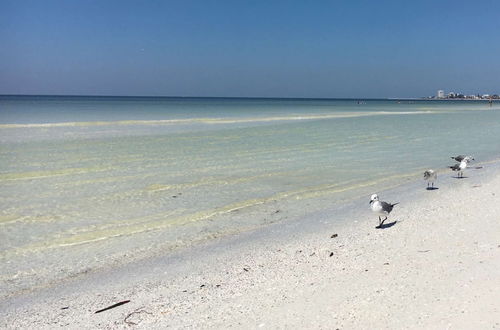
{"x":330,"y":49}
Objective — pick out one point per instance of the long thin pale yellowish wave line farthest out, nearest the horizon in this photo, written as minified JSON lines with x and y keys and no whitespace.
{"x":215,"y":120}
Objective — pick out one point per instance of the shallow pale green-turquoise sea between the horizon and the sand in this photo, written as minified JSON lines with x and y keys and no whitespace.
{"x":89,"y":182}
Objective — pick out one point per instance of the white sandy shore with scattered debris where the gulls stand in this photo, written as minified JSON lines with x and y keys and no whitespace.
{"x":436,"y":267}
